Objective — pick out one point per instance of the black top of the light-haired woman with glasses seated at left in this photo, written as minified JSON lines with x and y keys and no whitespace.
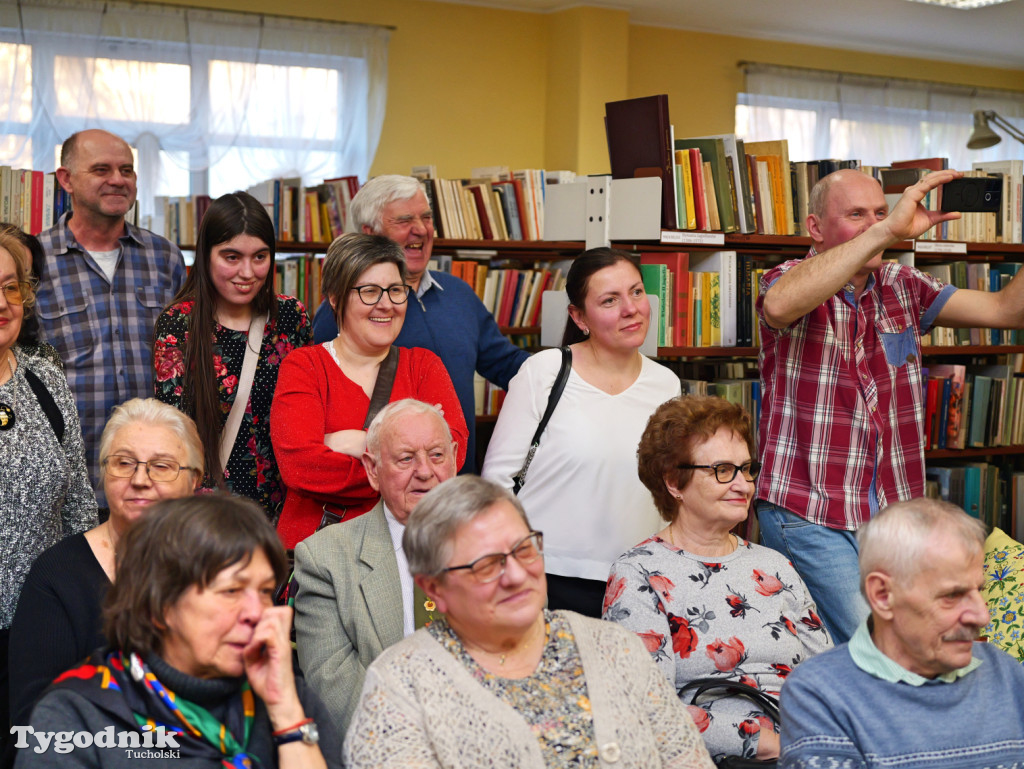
{"x":58,"y":623}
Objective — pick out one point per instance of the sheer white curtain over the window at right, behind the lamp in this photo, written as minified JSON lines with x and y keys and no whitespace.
{"x":874,"y":120}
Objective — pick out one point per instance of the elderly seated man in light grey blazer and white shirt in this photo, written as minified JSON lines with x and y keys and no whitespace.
{"x":356,"y":595}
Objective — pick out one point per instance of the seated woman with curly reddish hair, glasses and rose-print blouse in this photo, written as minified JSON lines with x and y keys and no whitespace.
{"x":705,"y":602}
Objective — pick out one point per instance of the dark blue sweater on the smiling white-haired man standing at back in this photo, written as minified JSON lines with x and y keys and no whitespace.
{"x":452,"y":322}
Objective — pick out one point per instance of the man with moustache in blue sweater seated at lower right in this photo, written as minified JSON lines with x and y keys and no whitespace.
{"x":914,"y":688}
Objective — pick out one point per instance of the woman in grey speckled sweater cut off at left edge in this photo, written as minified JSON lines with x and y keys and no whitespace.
{"x":46,"y":494}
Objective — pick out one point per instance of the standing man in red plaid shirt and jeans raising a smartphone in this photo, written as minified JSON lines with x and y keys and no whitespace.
{"x":842,"y":406}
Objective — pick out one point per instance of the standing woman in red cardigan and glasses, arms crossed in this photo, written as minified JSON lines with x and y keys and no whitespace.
{"x":327,"y":395}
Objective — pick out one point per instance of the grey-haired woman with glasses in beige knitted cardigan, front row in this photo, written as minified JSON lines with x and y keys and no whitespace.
{"x":495,"y":680}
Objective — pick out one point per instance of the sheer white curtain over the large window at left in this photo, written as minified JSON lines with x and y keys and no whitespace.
{"x":212,"y":102}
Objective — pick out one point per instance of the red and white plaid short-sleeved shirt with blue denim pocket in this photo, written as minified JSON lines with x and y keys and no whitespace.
{"x":842,"y":406}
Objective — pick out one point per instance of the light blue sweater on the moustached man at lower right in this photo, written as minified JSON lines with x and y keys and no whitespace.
{"x":836,"y":715}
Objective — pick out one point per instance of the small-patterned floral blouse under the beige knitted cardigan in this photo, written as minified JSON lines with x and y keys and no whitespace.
{"x":552,"y":701}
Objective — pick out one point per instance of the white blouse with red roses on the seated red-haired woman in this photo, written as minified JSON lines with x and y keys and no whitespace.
{"x":744,"y":617}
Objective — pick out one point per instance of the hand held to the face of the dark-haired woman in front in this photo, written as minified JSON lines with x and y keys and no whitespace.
{"x":269,"y":667}
